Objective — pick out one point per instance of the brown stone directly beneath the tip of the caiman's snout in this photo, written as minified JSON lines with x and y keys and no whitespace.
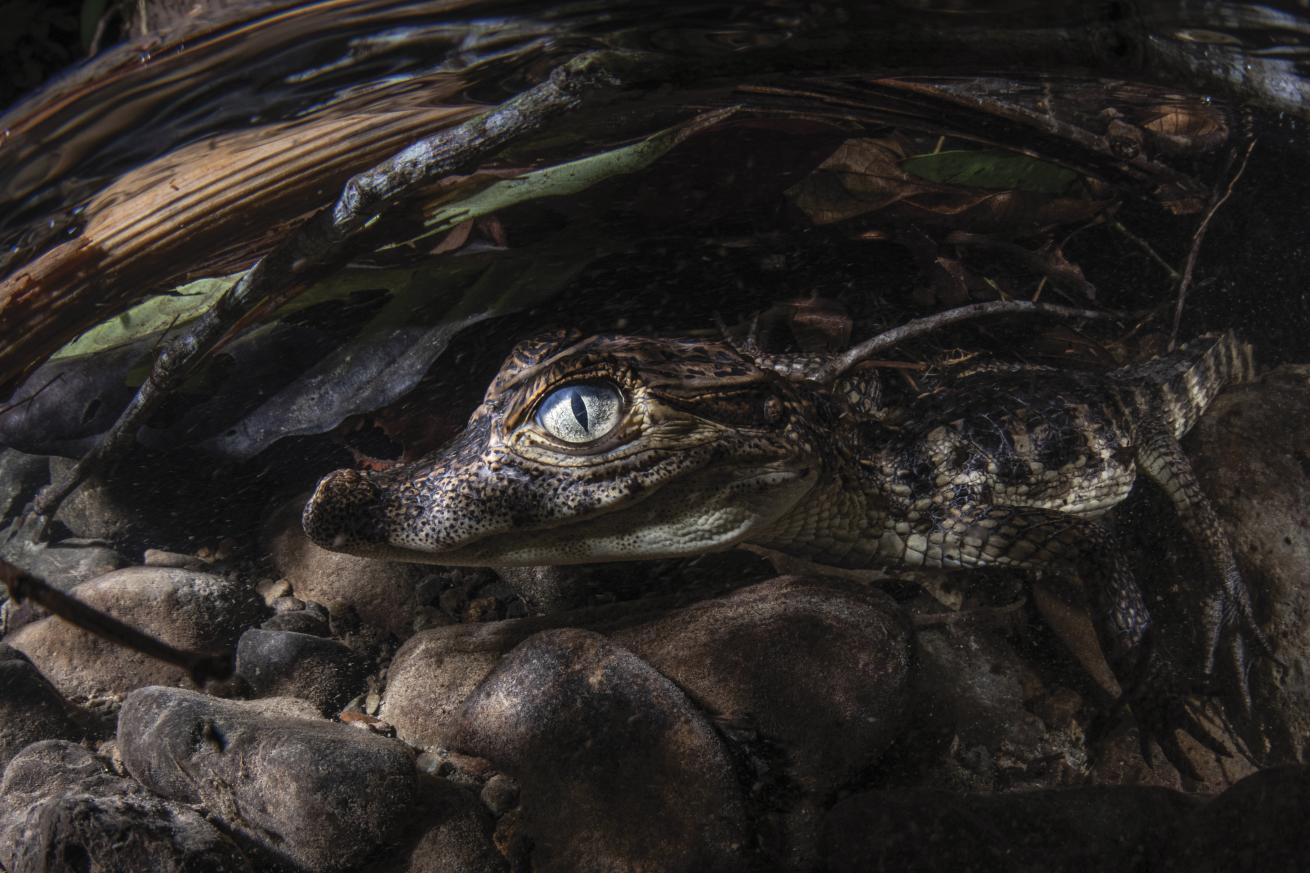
{"x":379,"y":593}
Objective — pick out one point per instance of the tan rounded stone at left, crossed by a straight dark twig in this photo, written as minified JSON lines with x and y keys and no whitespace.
{"x":185,"y":609}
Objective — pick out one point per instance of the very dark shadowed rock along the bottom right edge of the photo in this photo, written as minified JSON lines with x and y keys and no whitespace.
{"x":1257,"y":825}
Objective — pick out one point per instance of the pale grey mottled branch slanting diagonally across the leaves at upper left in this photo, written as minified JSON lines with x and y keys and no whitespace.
{"x":323,"y":241}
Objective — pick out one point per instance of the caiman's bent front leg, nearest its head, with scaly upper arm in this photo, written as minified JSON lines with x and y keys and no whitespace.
{"x":1050,"y":541}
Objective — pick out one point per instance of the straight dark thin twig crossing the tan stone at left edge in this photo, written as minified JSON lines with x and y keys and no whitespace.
{"x":24,"y":587}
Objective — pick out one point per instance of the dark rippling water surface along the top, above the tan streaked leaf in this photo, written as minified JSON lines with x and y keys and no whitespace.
{"x":328,"y":60}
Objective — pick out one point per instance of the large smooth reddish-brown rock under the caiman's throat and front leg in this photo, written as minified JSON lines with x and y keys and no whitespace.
{"x":751,"y":659}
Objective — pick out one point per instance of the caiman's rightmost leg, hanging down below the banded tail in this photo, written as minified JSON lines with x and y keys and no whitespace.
{"x":1227,"y":619}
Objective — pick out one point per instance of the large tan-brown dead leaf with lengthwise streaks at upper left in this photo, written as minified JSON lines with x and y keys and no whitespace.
{"x":189,"y":214}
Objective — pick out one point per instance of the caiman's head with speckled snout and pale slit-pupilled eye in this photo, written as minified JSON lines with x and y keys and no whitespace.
{"x":606,"y":449}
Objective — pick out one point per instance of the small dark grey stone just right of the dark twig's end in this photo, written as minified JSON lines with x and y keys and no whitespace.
{"x":284,"y":664}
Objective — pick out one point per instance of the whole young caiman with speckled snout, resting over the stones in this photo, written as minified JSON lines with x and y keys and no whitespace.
{"x":619,"y":449}
